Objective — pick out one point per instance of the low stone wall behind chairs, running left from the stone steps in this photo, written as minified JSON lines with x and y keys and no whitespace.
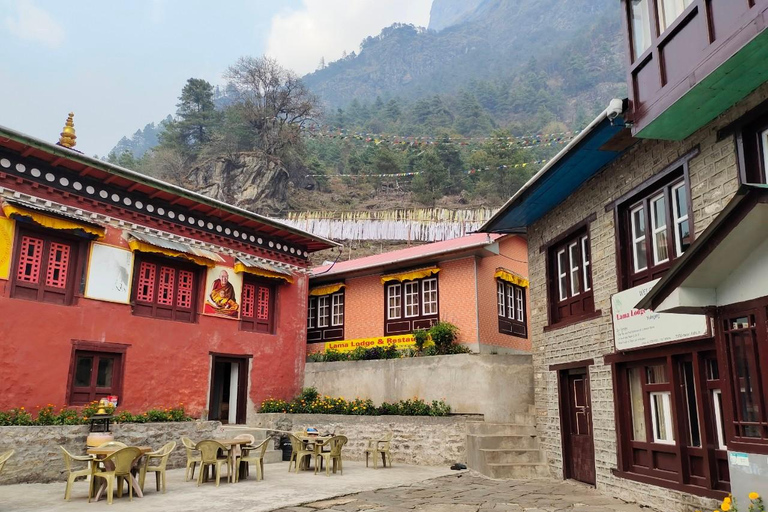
{"x":419,"y":440}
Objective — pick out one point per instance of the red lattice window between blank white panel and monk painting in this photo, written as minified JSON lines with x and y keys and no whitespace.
{"x":165,"y":288}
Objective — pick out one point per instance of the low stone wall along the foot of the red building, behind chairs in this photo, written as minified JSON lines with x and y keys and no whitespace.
{"x":38,"y":458}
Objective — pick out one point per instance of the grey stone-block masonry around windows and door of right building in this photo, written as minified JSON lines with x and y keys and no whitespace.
{"x":714,"y":181}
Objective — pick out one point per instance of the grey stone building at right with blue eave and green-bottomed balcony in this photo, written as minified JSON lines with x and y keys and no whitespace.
{"x":650,"y":406}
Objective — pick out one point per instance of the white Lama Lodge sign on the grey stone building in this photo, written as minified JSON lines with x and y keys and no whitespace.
{"x":636,"y":328}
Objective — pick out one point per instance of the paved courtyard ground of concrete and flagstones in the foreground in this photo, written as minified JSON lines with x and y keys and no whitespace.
{"x":398,"y":489}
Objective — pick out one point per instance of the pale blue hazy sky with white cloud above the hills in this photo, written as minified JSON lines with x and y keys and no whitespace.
{"x":121,"y":65}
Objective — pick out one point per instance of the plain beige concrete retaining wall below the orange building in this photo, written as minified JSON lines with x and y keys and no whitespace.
{"x":497,"y":386}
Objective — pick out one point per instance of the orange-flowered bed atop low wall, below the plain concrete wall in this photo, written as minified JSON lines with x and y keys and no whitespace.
{"x":310,"y":402}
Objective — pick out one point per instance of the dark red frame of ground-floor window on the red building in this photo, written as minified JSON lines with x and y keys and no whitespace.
{"x":82,"y":395}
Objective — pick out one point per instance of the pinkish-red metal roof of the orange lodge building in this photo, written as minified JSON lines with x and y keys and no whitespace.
{"x":411,"y":253}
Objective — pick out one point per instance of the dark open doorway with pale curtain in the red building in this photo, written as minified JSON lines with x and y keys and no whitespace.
{"x":229,"y":389}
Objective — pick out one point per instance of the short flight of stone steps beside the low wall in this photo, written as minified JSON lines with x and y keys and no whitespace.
{"x":506,"y":450}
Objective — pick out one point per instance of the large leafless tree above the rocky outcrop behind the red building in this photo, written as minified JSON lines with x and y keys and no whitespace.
{"x":273,"y":101}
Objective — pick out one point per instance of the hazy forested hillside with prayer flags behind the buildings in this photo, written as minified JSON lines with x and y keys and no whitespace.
{"x":459,"y":114}
